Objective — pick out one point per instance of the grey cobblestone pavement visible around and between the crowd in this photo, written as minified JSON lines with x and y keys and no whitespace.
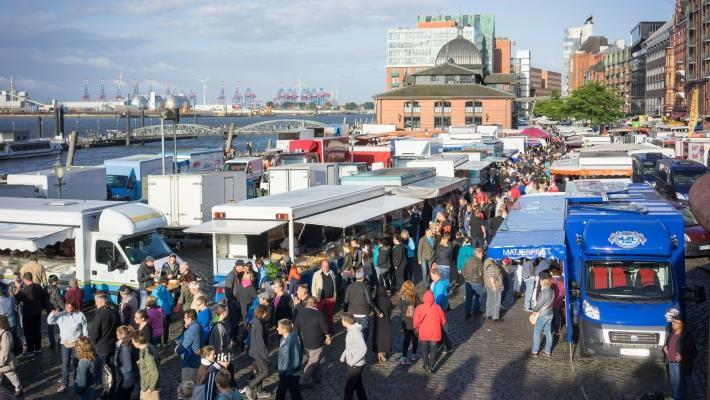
{"x":489,"y":362}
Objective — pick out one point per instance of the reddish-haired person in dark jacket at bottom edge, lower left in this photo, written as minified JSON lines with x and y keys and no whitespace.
{"x":125,"y":363}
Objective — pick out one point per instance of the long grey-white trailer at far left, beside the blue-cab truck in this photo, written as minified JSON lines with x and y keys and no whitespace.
{"x":85,"y":183}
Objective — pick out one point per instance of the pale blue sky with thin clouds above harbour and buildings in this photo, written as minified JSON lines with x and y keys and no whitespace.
{"x":51,"y":47}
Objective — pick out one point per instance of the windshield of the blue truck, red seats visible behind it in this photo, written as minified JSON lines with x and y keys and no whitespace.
{"x":628,"y":279}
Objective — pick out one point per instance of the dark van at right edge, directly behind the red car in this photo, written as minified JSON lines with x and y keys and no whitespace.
{"x":677,"y":176}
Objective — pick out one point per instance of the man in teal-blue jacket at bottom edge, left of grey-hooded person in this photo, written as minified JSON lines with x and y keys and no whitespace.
{"x":289,"y":365}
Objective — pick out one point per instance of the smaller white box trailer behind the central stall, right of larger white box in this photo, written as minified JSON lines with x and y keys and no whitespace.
{"x":287,"y":178}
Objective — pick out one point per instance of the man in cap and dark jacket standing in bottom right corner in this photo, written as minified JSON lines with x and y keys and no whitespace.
{"x":680,"y":353}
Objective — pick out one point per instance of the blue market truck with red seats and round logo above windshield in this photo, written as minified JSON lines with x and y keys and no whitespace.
{"x":625,"y":267}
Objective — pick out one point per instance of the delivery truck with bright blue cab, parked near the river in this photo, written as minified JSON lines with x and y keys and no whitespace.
{"x":126,"y":176}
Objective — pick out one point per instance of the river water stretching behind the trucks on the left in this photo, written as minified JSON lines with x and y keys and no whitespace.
{"x":96,"y":156}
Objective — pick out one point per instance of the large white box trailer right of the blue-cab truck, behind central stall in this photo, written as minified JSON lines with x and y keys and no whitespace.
{"x":186,"y":199}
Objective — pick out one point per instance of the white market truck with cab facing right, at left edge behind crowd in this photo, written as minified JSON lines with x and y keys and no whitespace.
{"x":103,"y":242}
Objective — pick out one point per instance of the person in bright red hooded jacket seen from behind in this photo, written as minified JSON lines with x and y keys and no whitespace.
{"x":429,"y":321}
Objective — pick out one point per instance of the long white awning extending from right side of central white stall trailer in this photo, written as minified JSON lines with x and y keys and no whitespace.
{"x":360,"y":212}
